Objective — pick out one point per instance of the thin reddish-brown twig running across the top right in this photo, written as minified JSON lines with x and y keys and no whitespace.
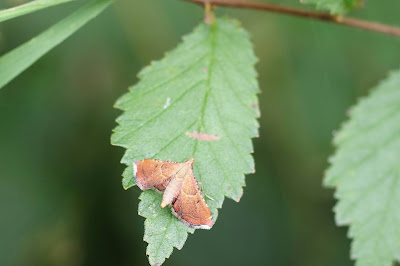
{"x":324,"y":16}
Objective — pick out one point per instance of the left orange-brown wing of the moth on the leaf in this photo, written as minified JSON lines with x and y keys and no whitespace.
{"x":156,"y":174}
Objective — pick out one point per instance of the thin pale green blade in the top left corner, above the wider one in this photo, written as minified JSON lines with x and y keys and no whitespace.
{"x":29,"y":8}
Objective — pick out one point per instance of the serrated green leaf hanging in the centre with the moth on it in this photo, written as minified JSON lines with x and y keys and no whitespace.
{"x":206,"y":85}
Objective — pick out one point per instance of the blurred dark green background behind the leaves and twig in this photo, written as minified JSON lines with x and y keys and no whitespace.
{"x":61,"y":198}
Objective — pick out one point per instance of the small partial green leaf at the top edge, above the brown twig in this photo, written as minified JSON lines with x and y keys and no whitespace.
{"x":336,"y":6}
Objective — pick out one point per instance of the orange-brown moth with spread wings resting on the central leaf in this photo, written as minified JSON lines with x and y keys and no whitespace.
{"x":179,"y":187}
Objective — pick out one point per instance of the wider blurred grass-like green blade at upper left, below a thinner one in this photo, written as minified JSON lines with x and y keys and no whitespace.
{"x":19,"y":59}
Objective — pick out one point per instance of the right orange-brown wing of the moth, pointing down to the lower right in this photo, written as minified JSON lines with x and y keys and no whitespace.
{"x":190,"y":206}
